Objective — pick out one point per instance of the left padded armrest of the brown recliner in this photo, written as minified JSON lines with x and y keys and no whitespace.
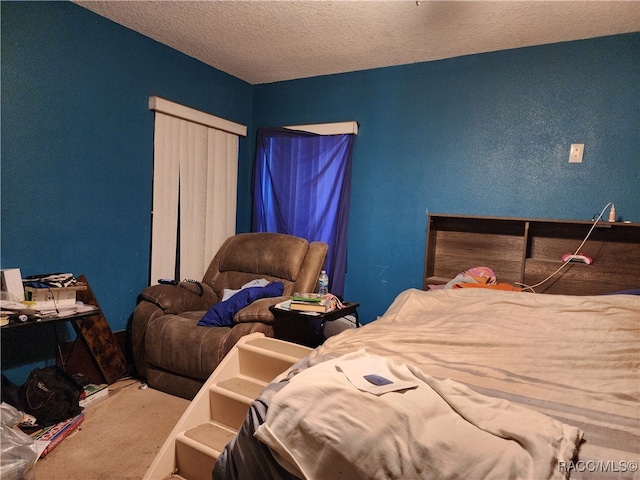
{"x":180,"y":298}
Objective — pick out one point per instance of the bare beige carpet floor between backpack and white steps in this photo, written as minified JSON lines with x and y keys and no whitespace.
{"x":119,"y":438}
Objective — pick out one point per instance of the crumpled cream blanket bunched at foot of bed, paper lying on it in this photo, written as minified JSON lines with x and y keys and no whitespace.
{"x":320,"y":426}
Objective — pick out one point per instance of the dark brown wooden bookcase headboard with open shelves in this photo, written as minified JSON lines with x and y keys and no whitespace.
{"x":526,"y":251}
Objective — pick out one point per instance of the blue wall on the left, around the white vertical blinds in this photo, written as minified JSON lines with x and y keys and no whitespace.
{"x":77,"y":146}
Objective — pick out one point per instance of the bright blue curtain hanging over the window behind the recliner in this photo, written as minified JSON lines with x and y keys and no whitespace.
{"x":302,"y":187}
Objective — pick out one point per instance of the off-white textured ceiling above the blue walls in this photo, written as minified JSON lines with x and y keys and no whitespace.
{"x":268,"y":41}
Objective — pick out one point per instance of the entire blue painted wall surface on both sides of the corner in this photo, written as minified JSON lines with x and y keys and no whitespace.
{"x":485,"y":134}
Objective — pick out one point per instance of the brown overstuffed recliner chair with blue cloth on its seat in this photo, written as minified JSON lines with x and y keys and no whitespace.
{"x":176,"y":355}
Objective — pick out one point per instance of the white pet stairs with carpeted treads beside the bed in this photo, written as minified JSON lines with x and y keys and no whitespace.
{"x":218,"y":410}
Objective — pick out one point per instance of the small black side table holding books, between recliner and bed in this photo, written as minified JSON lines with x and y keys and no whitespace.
{"x":306,"y":328}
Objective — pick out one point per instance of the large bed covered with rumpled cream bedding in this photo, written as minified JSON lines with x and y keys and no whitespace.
{"x":485,"y":383}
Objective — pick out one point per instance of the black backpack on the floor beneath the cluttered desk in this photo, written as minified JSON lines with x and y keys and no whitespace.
{"x":50,"y":395}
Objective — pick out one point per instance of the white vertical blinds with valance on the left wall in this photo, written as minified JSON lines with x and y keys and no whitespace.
{"x":195,"y":180}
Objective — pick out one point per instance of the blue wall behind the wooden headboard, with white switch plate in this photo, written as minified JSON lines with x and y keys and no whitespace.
{"x":484,"y":135}
